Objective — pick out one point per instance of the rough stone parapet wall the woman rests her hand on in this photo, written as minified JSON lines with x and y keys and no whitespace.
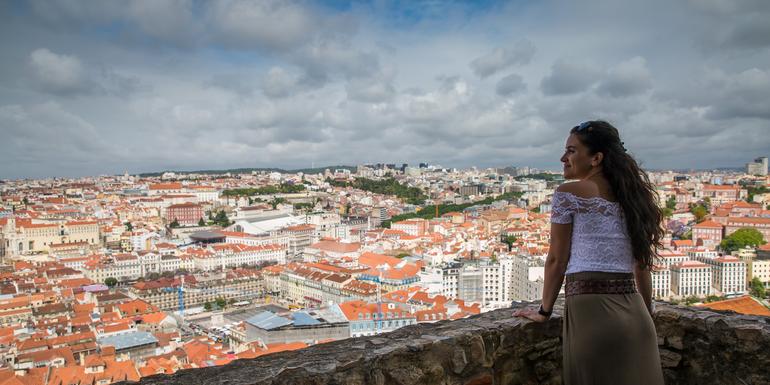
{"x":697,"y":347}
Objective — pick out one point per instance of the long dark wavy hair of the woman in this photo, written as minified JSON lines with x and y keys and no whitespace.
{"x":631,"y":186}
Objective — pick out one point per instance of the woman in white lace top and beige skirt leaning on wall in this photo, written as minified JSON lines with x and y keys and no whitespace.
{"x":605,"y":229}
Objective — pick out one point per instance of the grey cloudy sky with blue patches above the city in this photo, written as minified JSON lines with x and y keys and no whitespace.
{"x":102,"y":87}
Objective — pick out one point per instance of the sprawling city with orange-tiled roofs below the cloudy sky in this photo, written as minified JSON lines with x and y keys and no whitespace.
{"x":120,"y":277}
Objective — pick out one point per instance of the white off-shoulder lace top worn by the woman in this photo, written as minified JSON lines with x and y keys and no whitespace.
{"x":599,"y":237}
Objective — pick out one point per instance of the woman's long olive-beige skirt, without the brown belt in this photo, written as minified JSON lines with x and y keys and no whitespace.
{"x":609,"y":338}
